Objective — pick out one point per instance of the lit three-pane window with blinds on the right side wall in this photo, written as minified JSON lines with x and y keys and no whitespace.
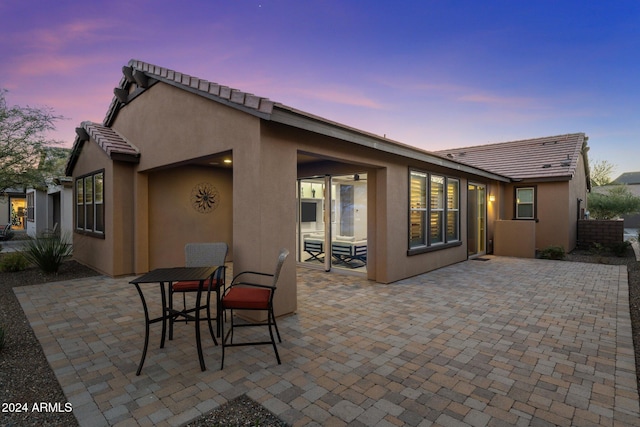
{"x":442,"y":210}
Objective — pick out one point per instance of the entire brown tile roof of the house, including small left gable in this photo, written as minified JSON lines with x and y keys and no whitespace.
{"x":520,"y":159}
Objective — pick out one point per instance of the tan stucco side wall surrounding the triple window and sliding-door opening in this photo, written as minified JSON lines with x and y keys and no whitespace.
{"x":388,"y":193}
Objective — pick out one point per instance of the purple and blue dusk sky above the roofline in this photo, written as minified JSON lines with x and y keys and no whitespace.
{"x":432,"y":74}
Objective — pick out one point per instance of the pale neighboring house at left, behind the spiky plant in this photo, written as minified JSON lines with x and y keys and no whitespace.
{"x":51,"y":209}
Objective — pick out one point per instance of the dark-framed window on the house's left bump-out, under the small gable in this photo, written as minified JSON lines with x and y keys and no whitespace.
{"x":90,"y":203}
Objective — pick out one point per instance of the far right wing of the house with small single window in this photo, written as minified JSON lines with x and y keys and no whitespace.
{"x":547,"y":192}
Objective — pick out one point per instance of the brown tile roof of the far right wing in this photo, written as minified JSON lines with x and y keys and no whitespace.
{"x":552,"y":157}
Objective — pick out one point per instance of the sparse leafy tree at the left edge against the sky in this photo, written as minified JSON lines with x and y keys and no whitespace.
{"x":26,"y":158}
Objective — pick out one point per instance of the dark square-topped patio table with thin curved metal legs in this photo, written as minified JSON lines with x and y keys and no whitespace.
{"x":167,"y":276}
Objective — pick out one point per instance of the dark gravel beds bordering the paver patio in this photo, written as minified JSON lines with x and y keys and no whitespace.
{"x":25,"y":375}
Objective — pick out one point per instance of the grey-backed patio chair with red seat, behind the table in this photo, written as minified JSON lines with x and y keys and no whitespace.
{"x":199,"y":255}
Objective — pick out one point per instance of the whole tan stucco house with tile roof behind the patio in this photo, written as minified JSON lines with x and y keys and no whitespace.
{"x":181,"y":159}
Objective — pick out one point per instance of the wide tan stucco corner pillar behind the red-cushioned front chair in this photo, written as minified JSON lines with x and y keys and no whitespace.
{"x":264,"y":211}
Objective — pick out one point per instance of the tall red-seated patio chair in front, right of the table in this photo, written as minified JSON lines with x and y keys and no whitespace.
{"x":248,"y":295}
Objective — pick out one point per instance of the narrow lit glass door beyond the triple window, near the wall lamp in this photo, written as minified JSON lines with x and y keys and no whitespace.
{"x":477,"y":220}
